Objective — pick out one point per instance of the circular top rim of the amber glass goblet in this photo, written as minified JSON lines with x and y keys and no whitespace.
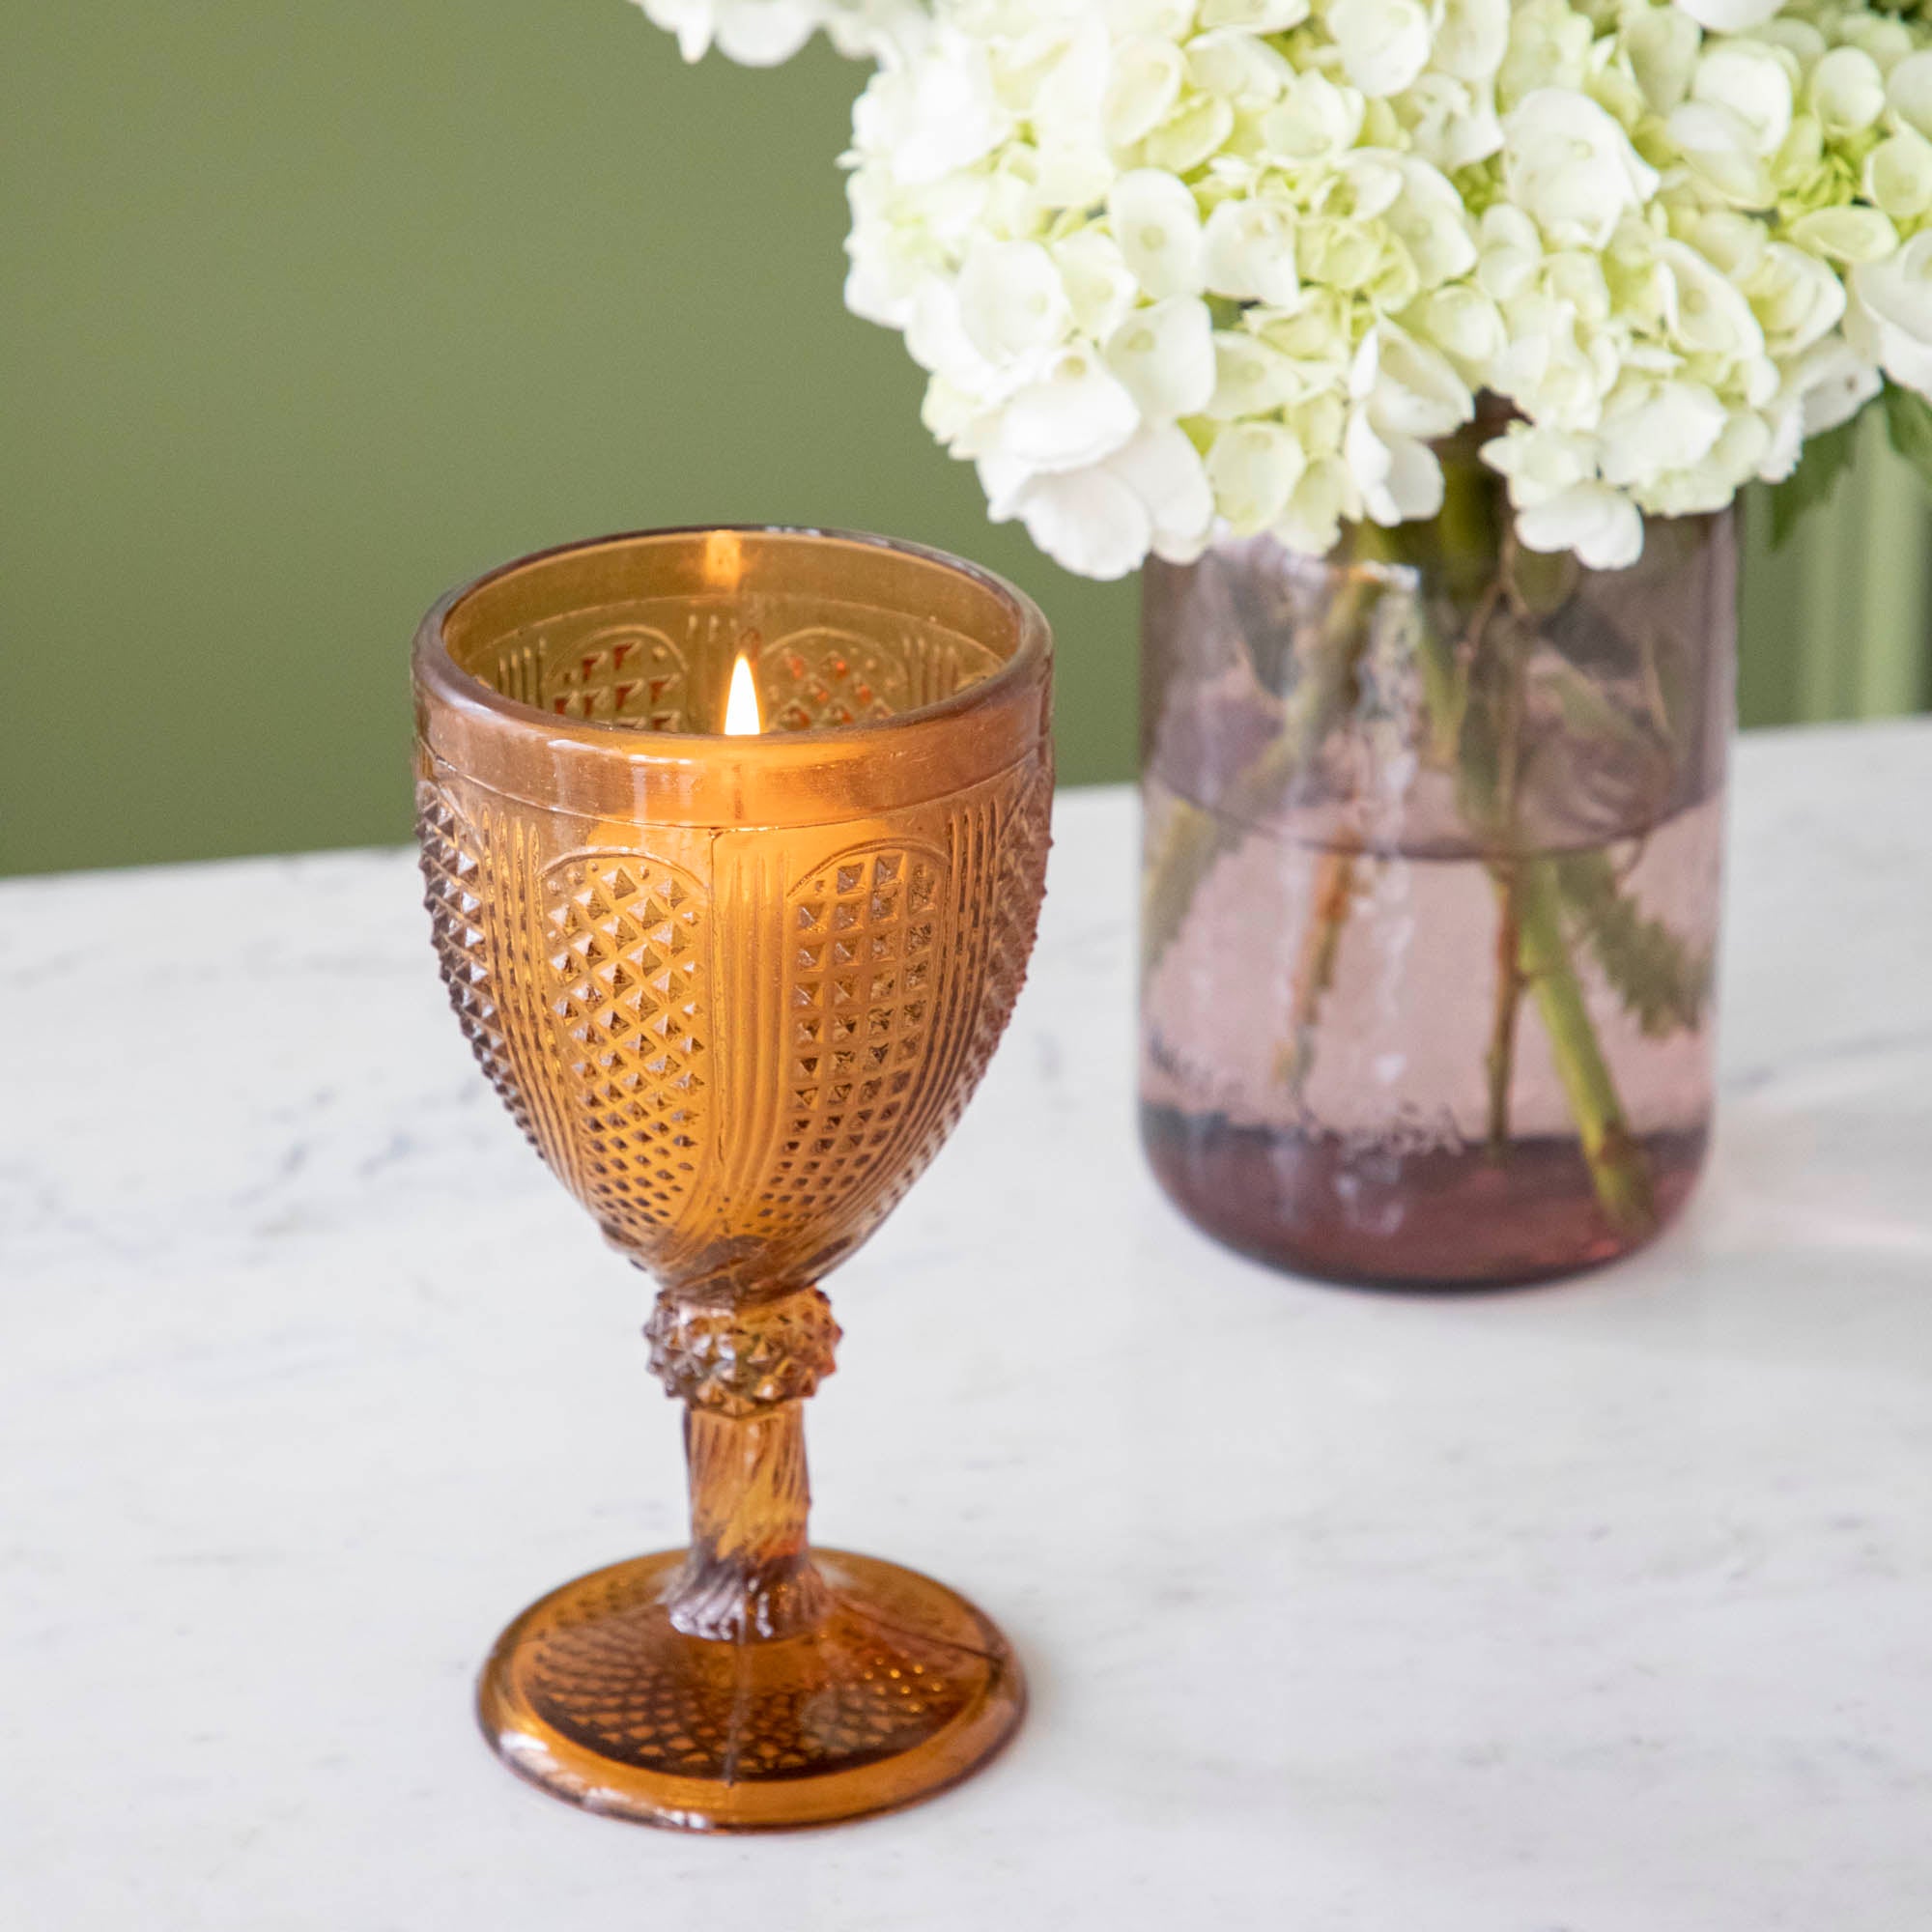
{"x":438,"y":669}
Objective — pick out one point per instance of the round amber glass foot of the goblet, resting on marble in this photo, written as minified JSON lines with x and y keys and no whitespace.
{"x":897,"y":1693}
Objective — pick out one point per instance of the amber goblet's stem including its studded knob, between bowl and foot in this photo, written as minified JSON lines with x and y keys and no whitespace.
{"x":745,"y":1369}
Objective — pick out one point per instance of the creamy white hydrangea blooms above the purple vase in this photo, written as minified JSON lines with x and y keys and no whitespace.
{"x":1183,"y":268}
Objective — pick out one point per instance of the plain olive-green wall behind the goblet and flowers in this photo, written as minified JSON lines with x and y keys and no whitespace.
{"x":312,"y":312}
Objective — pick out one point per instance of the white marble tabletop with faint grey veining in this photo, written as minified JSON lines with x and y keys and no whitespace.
{"x":1605,"y":1608}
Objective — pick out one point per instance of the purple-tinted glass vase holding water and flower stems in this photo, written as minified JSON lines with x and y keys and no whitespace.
{"x":1431,"y":915}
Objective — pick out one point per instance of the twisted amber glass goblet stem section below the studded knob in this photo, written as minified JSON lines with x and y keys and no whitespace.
{"x":749,"y":1572}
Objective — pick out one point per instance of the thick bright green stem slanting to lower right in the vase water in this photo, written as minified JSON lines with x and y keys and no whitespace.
{"x":1620,"y":1170}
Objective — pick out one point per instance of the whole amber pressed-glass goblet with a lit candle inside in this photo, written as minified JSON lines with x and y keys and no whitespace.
{"x":737,"y":990}
